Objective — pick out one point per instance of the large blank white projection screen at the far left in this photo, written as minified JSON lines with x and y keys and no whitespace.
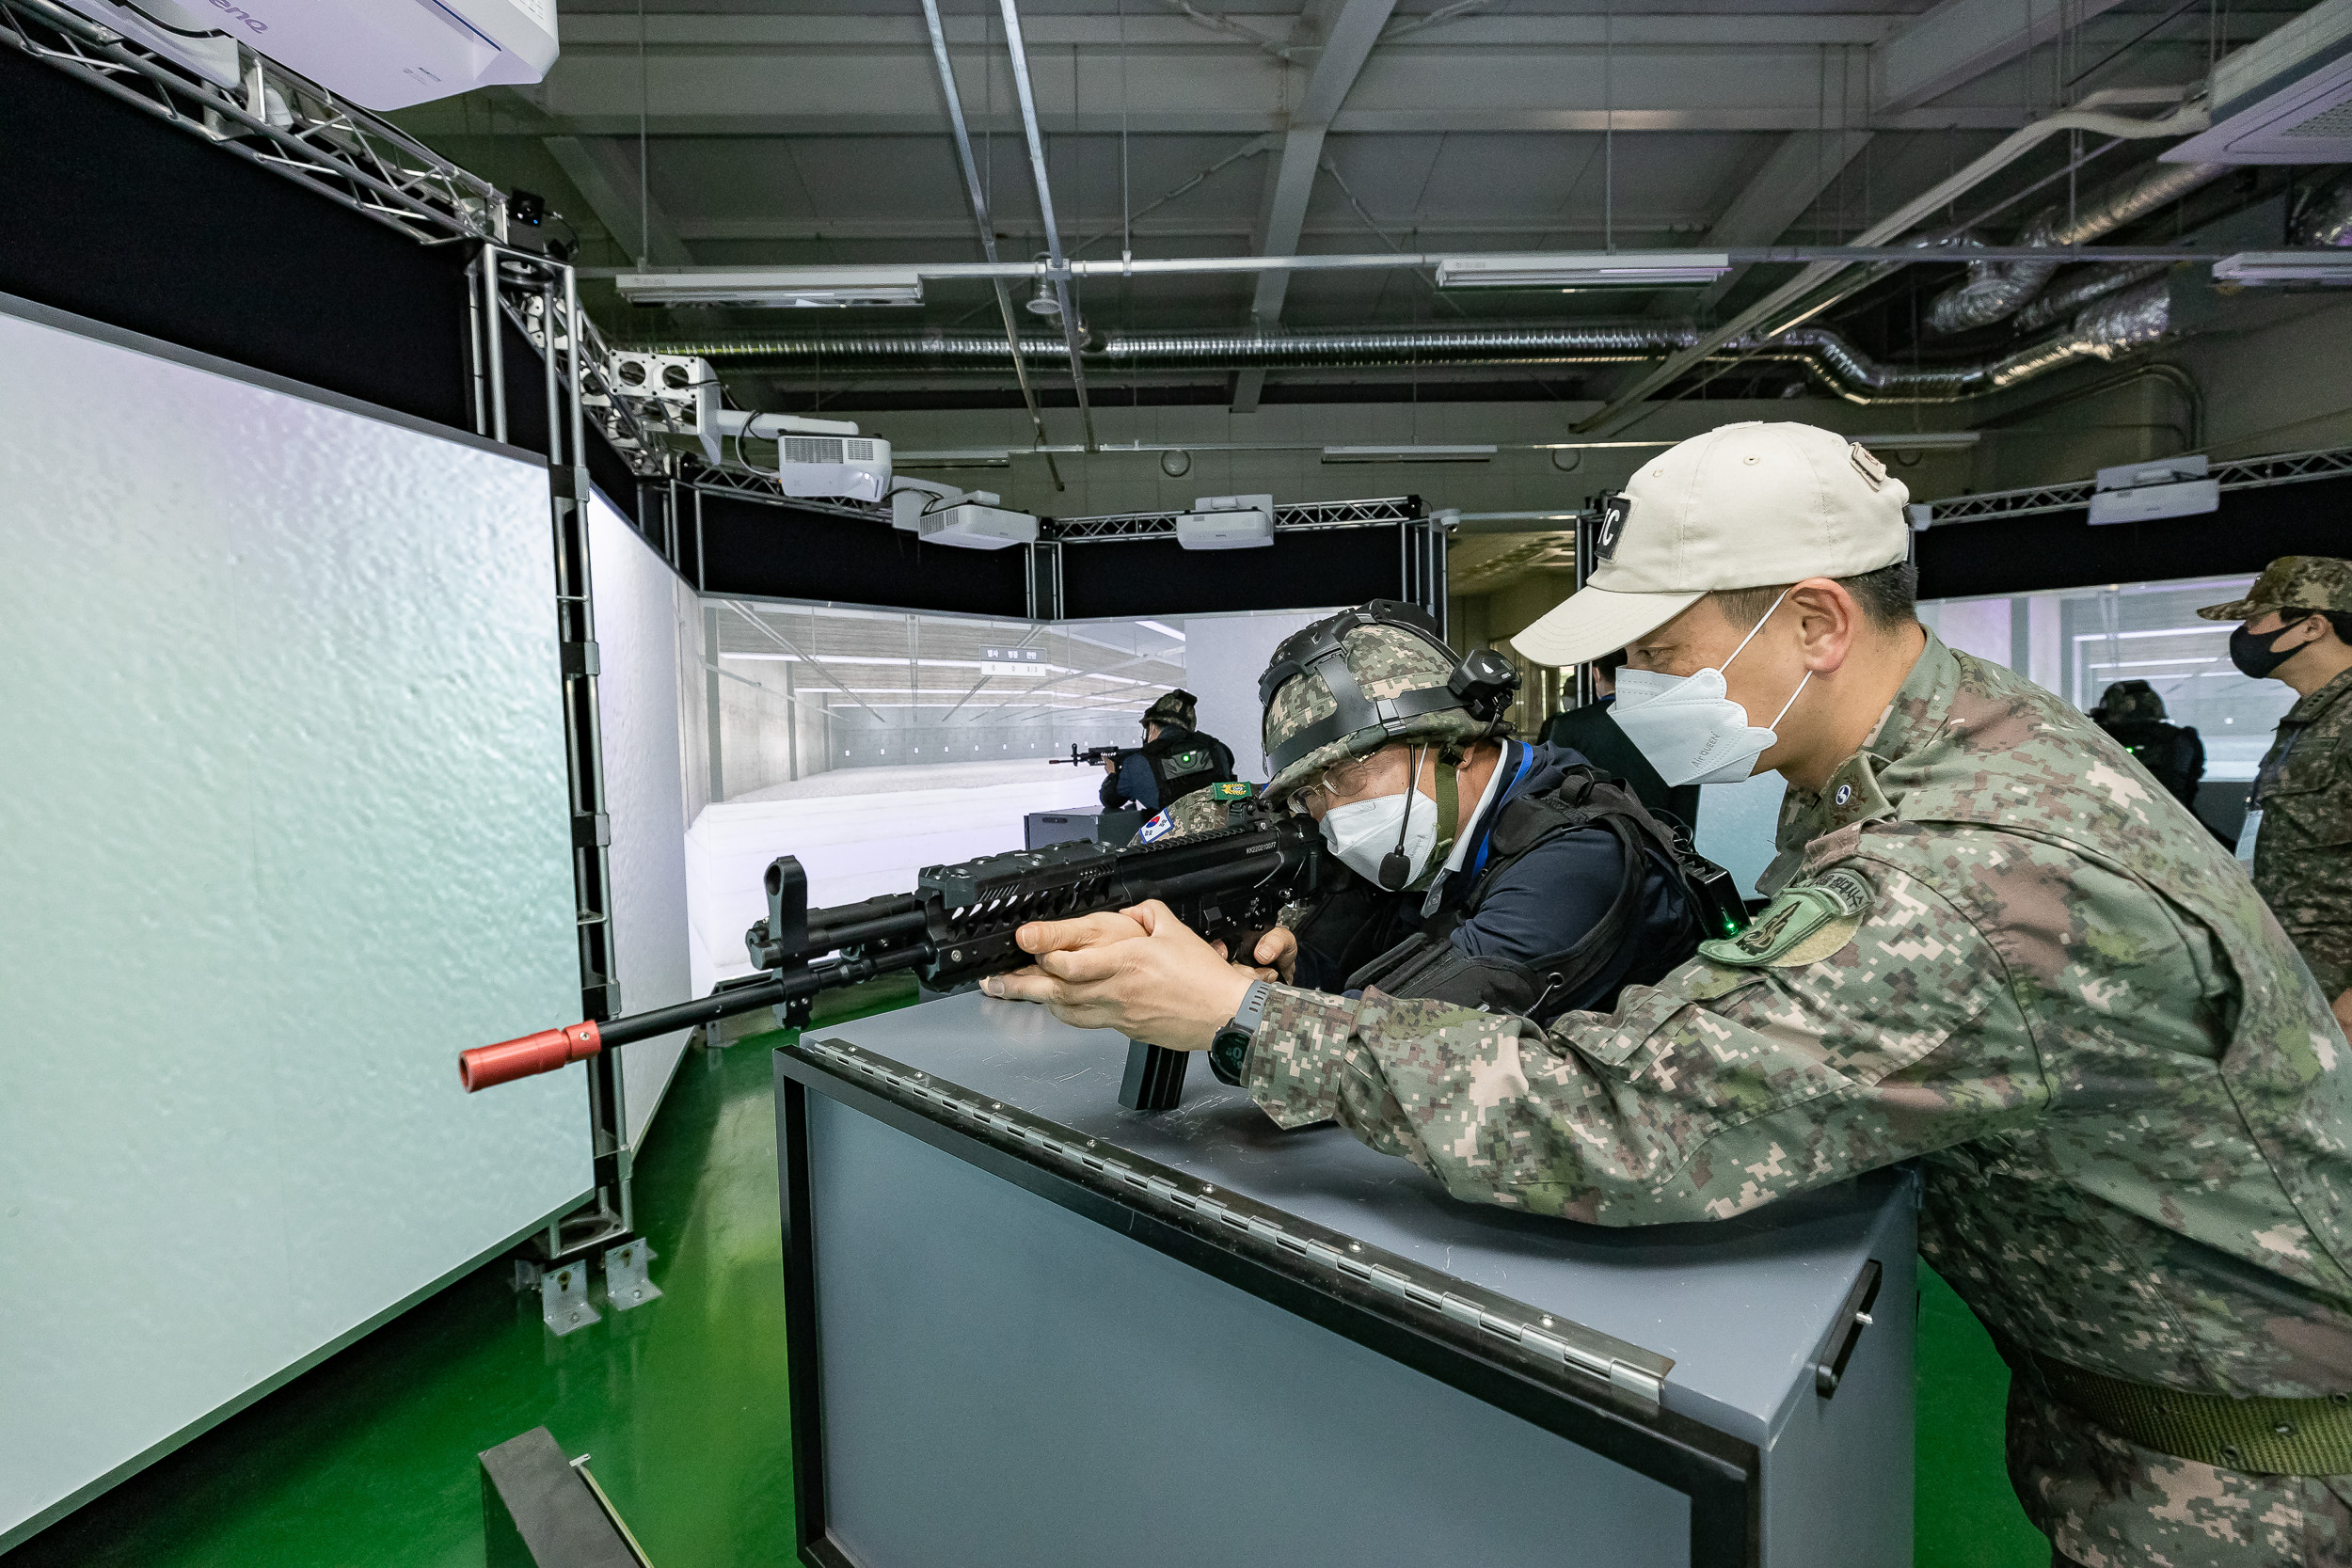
{"x":283,"y":829}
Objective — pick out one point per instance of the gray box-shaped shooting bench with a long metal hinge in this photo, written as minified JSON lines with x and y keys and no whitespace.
{"x":1034,"y":1329}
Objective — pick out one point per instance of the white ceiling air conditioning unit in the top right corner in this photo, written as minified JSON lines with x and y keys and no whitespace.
{"x":2287,"y":98}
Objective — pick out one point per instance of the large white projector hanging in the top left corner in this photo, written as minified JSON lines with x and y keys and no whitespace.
{"x":377,"y":53}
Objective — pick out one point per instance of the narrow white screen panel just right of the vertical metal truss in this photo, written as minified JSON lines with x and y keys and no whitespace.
{"x":636,"y":626}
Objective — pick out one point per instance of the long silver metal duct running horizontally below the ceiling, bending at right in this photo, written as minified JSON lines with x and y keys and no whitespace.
{"x":2106,"y":330}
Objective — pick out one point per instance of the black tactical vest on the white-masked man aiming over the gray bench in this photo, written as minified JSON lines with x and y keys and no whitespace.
{"x":1542,"y":986}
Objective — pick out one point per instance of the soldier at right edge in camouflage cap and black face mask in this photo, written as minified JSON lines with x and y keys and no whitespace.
{"x":2299,"y":824}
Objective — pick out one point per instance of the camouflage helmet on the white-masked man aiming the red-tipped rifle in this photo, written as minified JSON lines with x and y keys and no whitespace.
{"x":1363,"y":678}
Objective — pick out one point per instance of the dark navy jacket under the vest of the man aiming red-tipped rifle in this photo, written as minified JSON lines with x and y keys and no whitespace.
{"x":1544,"y":904}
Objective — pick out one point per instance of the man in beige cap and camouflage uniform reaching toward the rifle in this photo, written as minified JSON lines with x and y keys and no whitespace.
{"x":1993,"y":949}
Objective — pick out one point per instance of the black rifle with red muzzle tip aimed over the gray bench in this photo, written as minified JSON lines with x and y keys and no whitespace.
{"x":958,"y":925}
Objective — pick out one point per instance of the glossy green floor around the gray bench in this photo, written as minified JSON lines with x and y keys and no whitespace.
{"x":368,"y":1459}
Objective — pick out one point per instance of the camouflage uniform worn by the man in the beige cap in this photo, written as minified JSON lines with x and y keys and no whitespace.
{"x":2022,"y":963}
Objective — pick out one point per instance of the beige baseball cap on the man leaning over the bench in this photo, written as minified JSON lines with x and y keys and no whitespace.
{"x":1742,"y":507}
